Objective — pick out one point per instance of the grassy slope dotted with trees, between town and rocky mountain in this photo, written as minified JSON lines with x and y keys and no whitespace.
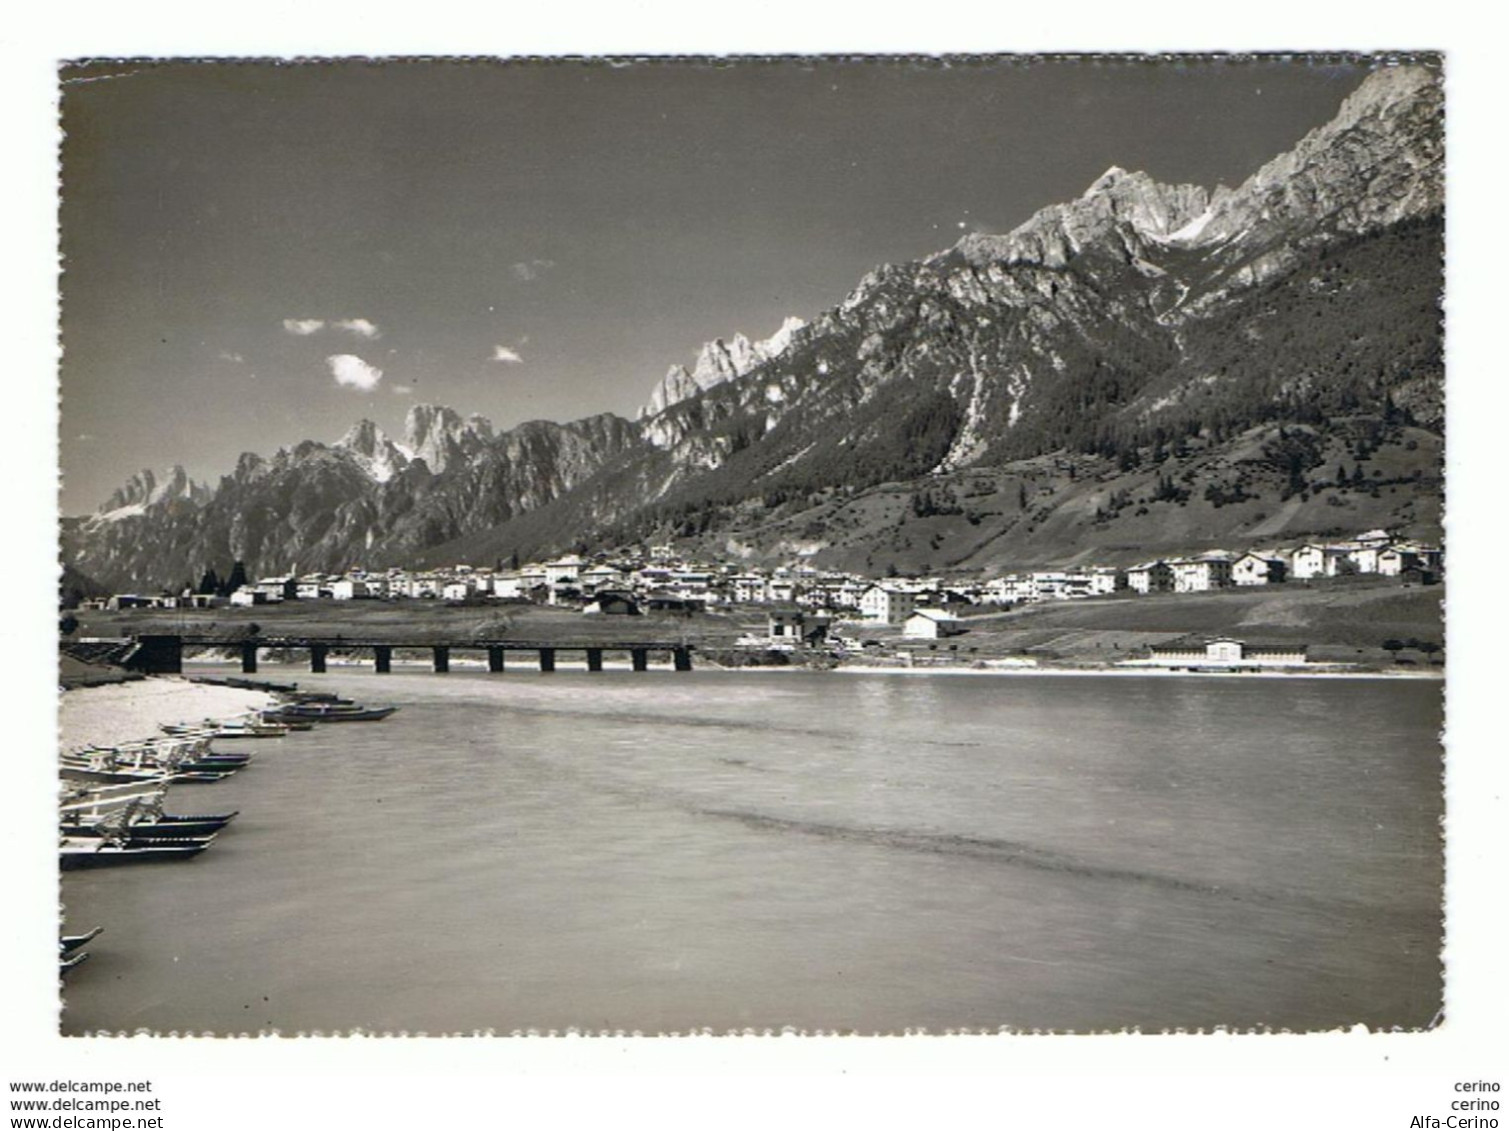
{"x":1267,"y":486}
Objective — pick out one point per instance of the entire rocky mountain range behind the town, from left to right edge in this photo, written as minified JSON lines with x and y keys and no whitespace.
{"x":1101,"y":325}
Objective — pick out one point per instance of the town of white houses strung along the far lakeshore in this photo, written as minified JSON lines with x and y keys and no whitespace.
{"x":850,"y":618}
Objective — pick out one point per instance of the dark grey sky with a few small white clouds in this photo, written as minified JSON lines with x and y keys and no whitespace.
{"x":256,"y":254}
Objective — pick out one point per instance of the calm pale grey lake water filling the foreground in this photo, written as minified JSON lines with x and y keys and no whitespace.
{"x":728,"y":851}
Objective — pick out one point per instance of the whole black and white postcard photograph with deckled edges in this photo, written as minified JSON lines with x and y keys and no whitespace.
{"x":831,"y":545}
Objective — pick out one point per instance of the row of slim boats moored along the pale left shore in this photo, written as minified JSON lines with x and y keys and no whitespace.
{"x":112,"y":802}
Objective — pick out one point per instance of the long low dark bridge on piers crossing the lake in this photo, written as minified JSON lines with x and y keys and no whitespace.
{"x":165,"y":654}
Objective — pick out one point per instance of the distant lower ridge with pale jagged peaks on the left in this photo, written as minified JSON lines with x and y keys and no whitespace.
{"x":361,"y":500}
